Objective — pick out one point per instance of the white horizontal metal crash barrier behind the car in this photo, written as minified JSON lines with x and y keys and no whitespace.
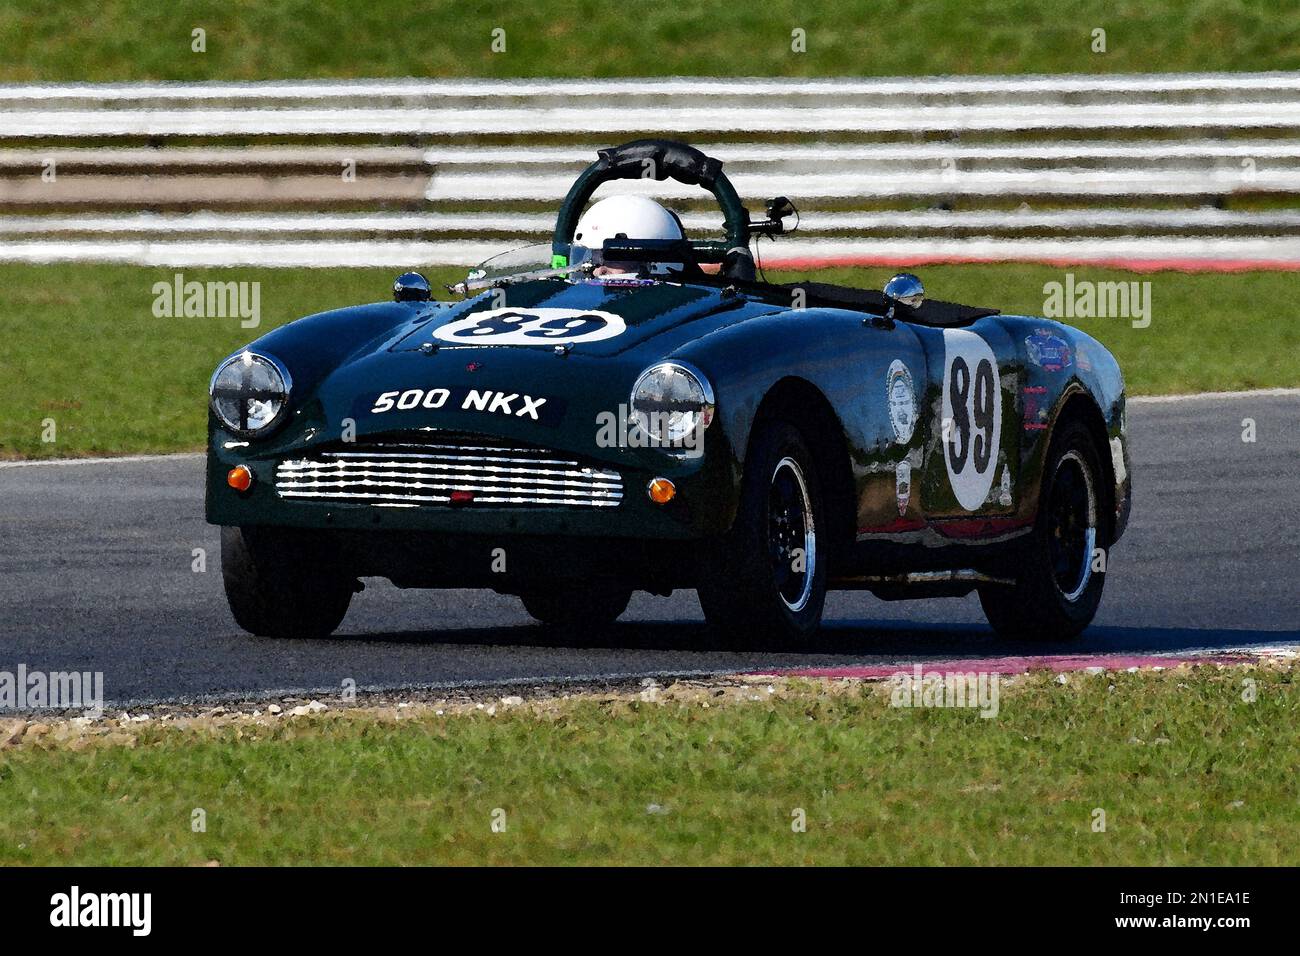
{"x":1142,"y":171}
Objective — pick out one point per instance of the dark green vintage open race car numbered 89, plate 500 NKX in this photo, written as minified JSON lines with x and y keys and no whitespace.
{"x":570,"y":438}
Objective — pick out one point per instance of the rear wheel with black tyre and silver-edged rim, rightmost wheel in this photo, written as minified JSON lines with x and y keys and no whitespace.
{"x":1060,"y":585}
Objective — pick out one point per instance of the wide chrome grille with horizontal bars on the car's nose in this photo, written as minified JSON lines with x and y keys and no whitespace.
{"x":414,"y":475}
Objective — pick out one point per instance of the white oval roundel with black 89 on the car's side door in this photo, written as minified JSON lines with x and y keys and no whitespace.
{"x":973,"y":417}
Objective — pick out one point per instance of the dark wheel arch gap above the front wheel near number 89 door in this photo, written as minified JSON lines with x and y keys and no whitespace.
{"x":803,"y":405}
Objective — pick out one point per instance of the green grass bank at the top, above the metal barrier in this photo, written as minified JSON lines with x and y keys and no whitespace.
{"x":132,"y":41}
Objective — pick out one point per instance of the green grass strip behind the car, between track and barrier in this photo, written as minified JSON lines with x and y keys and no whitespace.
{"x":88,"y":352}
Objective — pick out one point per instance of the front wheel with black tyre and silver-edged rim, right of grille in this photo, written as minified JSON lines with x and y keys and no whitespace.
{"x":765,"y":582}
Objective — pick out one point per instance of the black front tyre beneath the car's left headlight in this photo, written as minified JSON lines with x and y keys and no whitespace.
{"x":280,"y":589}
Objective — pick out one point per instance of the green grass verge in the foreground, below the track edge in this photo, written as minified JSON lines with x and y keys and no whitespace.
{"x":1186,"y":772}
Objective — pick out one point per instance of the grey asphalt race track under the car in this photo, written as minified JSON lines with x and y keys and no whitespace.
{"x":96,"y":576}
